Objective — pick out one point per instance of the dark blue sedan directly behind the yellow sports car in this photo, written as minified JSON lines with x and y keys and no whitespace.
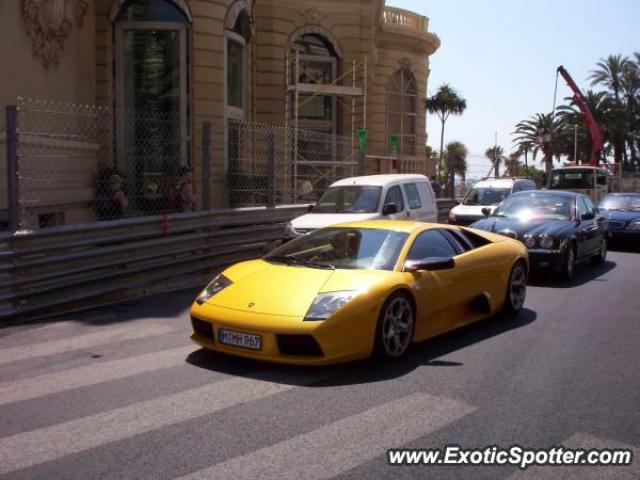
{"x":559,"y":228}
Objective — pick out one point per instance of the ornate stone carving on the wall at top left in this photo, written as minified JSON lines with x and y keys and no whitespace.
{"x":49,"y":23}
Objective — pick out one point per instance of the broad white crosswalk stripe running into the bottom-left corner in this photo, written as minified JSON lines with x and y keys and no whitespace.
{"x":38,"y":446}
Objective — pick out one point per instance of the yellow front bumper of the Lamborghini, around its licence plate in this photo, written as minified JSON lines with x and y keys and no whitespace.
{"x":339,"y":339}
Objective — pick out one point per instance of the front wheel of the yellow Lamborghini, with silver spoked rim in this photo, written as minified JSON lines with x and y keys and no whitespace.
{"x":394,"y":330}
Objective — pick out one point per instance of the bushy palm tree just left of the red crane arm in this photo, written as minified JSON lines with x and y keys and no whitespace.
{"x":532,"y":133}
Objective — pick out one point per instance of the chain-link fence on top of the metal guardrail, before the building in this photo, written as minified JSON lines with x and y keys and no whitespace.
{"x":77,"y":164}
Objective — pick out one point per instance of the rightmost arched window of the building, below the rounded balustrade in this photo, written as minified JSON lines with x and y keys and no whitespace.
{"x":402,"y":111}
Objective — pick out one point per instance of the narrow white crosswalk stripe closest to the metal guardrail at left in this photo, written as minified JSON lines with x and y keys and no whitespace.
{"x":103,"y":335}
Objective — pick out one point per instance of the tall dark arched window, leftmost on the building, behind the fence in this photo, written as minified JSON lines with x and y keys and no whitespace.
{"x":151,"y":79}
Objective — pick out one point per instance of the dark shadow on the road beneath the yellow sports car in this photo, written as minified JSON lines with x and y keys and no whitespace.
{"x":423,"y":354}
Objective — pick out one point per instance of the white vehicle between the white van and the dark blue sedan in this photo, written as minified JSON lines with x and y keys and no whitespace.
{"x":486,"y":193}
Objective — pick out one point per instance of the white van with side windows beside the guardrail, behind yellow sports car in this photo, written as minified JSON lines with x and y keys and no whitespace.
{"x":392,"y":197}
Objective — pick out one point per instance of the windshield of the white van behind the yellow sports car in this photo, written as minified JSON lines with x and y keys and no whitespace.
{"x":349,"y":199}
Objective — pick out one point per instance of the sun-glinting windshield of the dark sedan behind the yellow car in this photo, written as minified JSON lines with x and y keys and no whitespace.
{"x":536,"y":206}
